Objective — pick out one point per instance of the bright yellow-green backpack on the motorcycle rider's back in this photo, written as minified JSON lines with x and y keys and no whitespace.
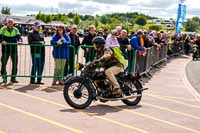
{"x":119,"y":56}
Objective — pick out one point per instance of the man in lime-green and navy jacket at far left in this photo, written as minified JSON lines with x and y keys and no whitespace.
{"x":9,"y":34}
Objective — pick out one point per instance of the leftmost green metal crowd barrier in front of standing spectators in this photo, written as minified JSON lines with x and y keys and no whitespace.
{"x":23,"y":60}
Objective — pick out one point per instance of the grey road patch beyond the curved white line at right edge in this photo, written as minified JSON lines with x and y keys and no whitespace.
{"x":193,"y":74}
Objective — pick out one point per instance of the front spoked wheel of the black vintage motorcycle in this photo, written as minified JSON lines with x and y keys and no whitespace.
{"x":77,"y":94}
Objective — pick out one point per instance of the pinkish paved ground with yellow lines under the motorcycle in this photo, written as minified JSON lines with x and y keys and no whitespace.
{"x":168,"y":106}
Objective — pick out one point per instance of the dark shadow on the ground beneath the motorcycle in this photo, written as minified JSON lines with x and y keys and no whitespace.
{"x":100,"y":110}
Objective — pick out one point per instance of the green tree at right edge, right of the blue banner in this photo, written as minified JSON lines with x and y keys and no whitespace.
{"x":191,"y":26}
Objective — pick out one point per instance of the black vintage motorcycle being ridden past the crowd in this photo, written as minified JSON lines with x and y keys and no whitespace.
{"x":92,"y":85}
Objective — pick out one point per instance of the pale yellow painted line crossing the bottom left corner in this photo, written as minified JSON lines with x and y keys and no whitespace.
{"x":41,"y":118}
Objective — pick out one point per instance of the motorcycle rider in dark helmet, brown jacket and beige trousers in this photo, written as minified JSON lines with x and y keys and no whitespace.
{"x":105,"y":57}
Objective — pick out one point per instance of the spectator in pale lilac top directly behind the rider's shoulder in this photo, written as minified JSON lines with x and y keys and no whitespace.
{"x":111,"y":40}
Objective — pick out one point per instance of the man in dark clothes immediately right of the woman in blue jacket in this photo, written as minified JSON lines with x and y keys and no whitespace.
{"x":76,"y":43}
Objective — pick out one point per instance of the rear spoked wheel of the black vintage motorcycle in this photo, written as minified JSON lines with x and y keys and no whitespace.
{"x":135,"y":86}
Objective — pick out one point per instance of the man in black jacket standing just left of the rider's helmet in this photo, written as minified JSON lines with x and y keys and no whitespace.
{"x":89,"y":52}
